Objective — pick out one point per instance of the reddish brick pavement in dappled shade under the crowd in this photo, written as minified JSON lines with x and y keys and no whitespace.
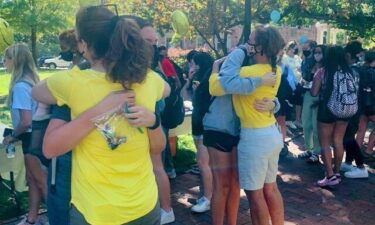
{"x":352,"y":202}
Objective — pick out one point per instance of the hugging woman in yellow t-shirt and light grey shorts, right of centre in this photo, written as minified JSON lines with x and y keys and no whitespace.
{"x":260,"y":139}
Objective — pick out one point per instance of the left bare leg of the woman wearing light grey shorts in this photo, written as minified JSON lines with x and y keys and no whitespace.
{"x":258,"y":207}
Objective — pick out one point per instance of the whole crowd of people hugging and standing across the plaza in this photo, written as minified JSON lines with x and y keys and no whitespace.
{"x":95,"y":137}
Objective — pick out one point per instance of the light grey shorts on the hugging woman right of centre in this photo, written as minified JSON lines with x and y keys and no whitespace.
{"x":258,"y":156}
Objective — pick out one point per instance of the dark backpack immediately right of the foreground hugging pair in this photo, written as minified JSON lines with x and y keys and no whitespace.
{"x":174,"y":111}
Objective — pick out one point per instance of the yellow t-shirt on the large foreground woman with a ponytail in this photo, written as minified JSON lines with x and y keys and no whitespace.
{"x":109,"y":187}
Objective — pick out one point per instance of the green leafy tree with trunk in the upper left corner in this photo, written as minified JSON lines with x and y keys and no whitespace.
{"x":36,"y":18}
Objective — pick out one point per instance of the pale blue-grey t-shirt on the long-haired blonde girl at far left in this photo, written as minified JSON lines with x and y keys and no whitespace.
{"x":22,"y":100}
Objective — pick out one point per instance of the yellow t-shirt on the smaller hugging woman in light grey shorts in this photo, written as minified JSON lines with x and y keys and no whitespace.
{"x":244,"y":105}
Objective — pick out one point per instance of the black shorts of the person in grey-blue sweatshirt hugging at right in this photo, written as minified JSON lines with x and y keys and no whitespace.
{"x":219,"y":140}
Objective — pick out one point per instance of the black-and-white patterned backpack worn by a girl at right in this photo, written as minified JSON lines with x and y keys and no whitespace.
{"x":343,"y":102}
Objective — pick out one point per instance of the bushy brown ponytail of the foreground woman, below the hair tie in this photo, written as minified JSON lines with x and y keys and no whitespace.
{"x":129,"y":56}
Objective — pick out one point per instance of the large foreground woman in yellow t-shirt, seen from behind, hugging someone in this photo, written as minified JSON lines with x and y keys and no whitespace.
{"x":110,"y":186}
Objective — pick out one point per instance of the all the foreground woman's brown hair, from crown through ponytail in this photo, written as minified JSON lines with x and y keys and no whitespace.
{"x":116,"y":41}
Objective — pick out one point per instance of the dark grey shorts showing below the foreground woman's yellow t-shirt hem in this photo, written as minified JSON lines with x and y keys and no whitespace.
{"x":151,"y":218}
